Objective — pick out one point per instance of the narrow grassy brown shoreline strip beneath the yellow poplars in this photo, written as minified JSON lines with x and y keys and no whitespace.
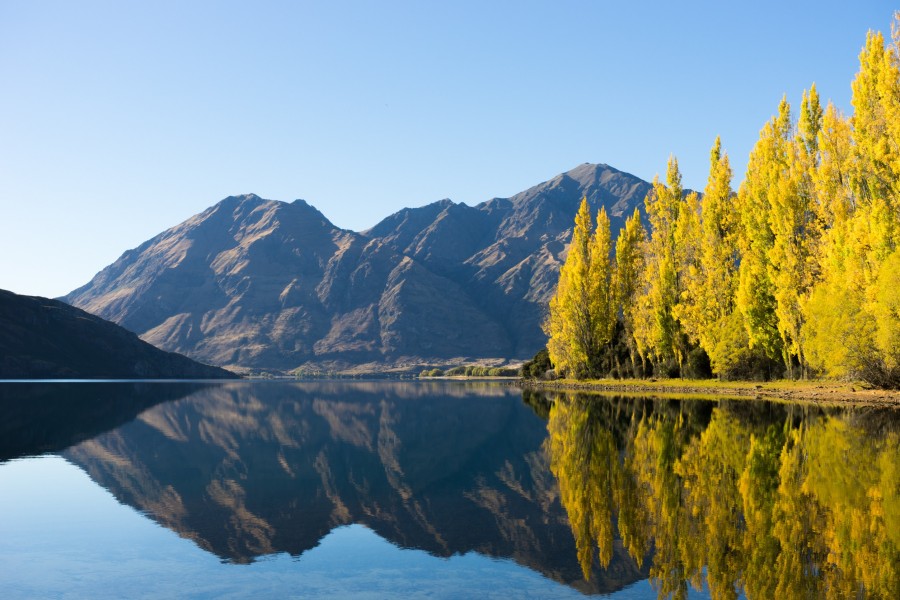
{"x":817,"y":392}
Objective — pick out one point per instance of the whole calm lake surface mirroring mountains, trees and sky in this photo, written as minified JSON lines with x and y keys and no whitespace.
{"x":438,"y":489}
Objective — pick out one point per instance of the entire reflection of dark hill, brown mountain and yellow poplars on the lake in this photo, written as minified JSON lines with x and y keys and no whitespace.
{"x":762,"y":499}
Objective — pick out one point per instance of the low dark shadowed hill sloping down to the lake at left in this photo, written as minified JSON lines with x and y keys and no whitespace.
{"x":48,"y":339}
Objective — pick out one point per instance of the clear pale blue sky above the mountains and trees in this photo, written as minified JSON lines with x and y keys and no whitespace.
{"x":121,"y":119}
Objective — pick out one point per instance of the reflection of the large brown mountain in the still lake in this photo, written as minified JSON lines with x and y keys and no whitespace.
{"x":247,"y":470}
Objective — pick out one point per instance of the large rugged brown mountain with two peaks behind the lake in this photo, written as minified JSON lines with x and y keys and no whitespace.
{"x":265,"y":285}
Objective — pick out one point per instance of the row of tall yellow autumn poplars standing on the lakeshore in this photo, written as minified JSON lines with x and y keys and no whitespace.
{"x":797,"y":272}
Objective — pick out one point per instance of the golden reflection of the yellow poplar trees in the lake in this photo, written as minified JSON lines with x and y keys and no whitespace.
{"x":775,"y":500}
